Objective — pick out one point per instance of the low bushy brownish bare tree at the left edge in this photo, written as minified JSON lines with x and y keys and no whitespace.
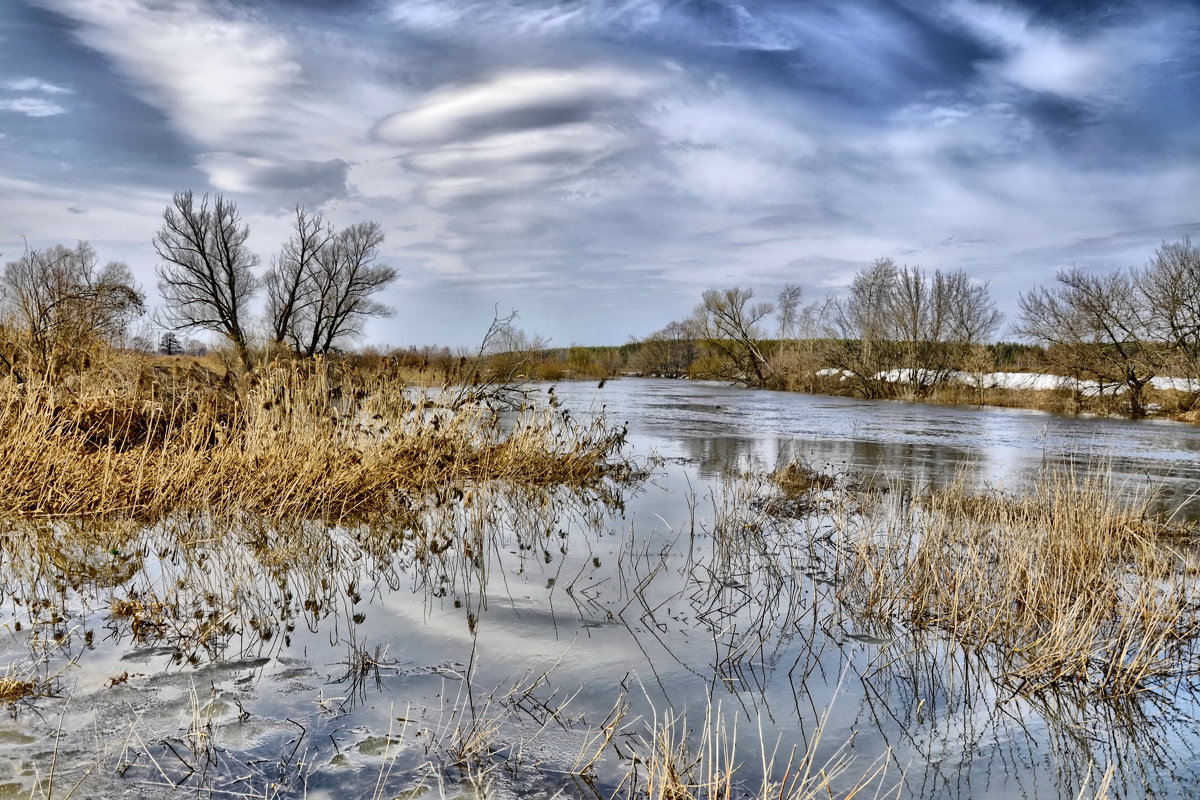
{"x":59,"y":304}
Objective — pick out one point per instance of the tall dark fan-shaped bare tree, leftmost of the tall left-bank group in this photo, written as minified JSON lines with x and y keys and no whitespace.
{"x":207,"y":278}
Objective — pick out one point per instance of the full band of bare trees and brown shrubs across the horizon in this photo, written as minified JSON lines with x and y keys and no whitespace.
{"x":1123,"y":342}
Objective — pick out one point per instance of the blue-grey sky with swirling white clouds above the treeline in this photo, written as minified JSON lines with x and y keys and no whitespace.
{"x":597,"y":165}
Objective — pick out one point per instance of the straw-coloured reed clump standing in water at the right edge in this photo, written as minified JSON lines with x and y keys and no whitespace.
{"x":1064,"y":584}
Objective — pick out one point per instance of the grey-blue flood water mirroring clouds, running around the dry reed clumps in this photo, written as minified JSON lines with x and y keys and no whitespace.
{"x":355,"y":664}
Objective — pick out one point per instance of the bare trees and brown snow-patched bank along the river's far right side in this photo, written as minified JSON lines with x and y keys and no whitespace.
{"x":904,"y":333}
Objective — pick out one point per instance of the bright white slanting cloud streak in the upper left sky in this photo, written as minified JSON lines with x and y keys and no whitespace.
{"x":215,"y":76}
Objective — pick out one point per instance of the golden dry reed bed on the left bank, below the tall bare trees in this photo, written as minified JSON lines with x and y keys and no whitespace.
{"x":291,"y":441}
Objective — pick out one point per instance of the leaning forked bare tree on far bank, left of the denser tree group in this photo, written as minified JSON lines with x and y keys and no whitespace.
{"x":728,"y":326}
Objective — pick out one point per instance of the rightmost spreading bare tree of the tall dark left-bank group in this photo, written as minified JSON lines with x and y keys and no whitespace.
{"x":338,"y":293}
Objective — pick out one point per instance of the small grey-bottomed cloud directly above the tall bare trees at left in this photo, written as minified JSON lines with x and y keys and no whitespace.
{"x":310,"y":183}
